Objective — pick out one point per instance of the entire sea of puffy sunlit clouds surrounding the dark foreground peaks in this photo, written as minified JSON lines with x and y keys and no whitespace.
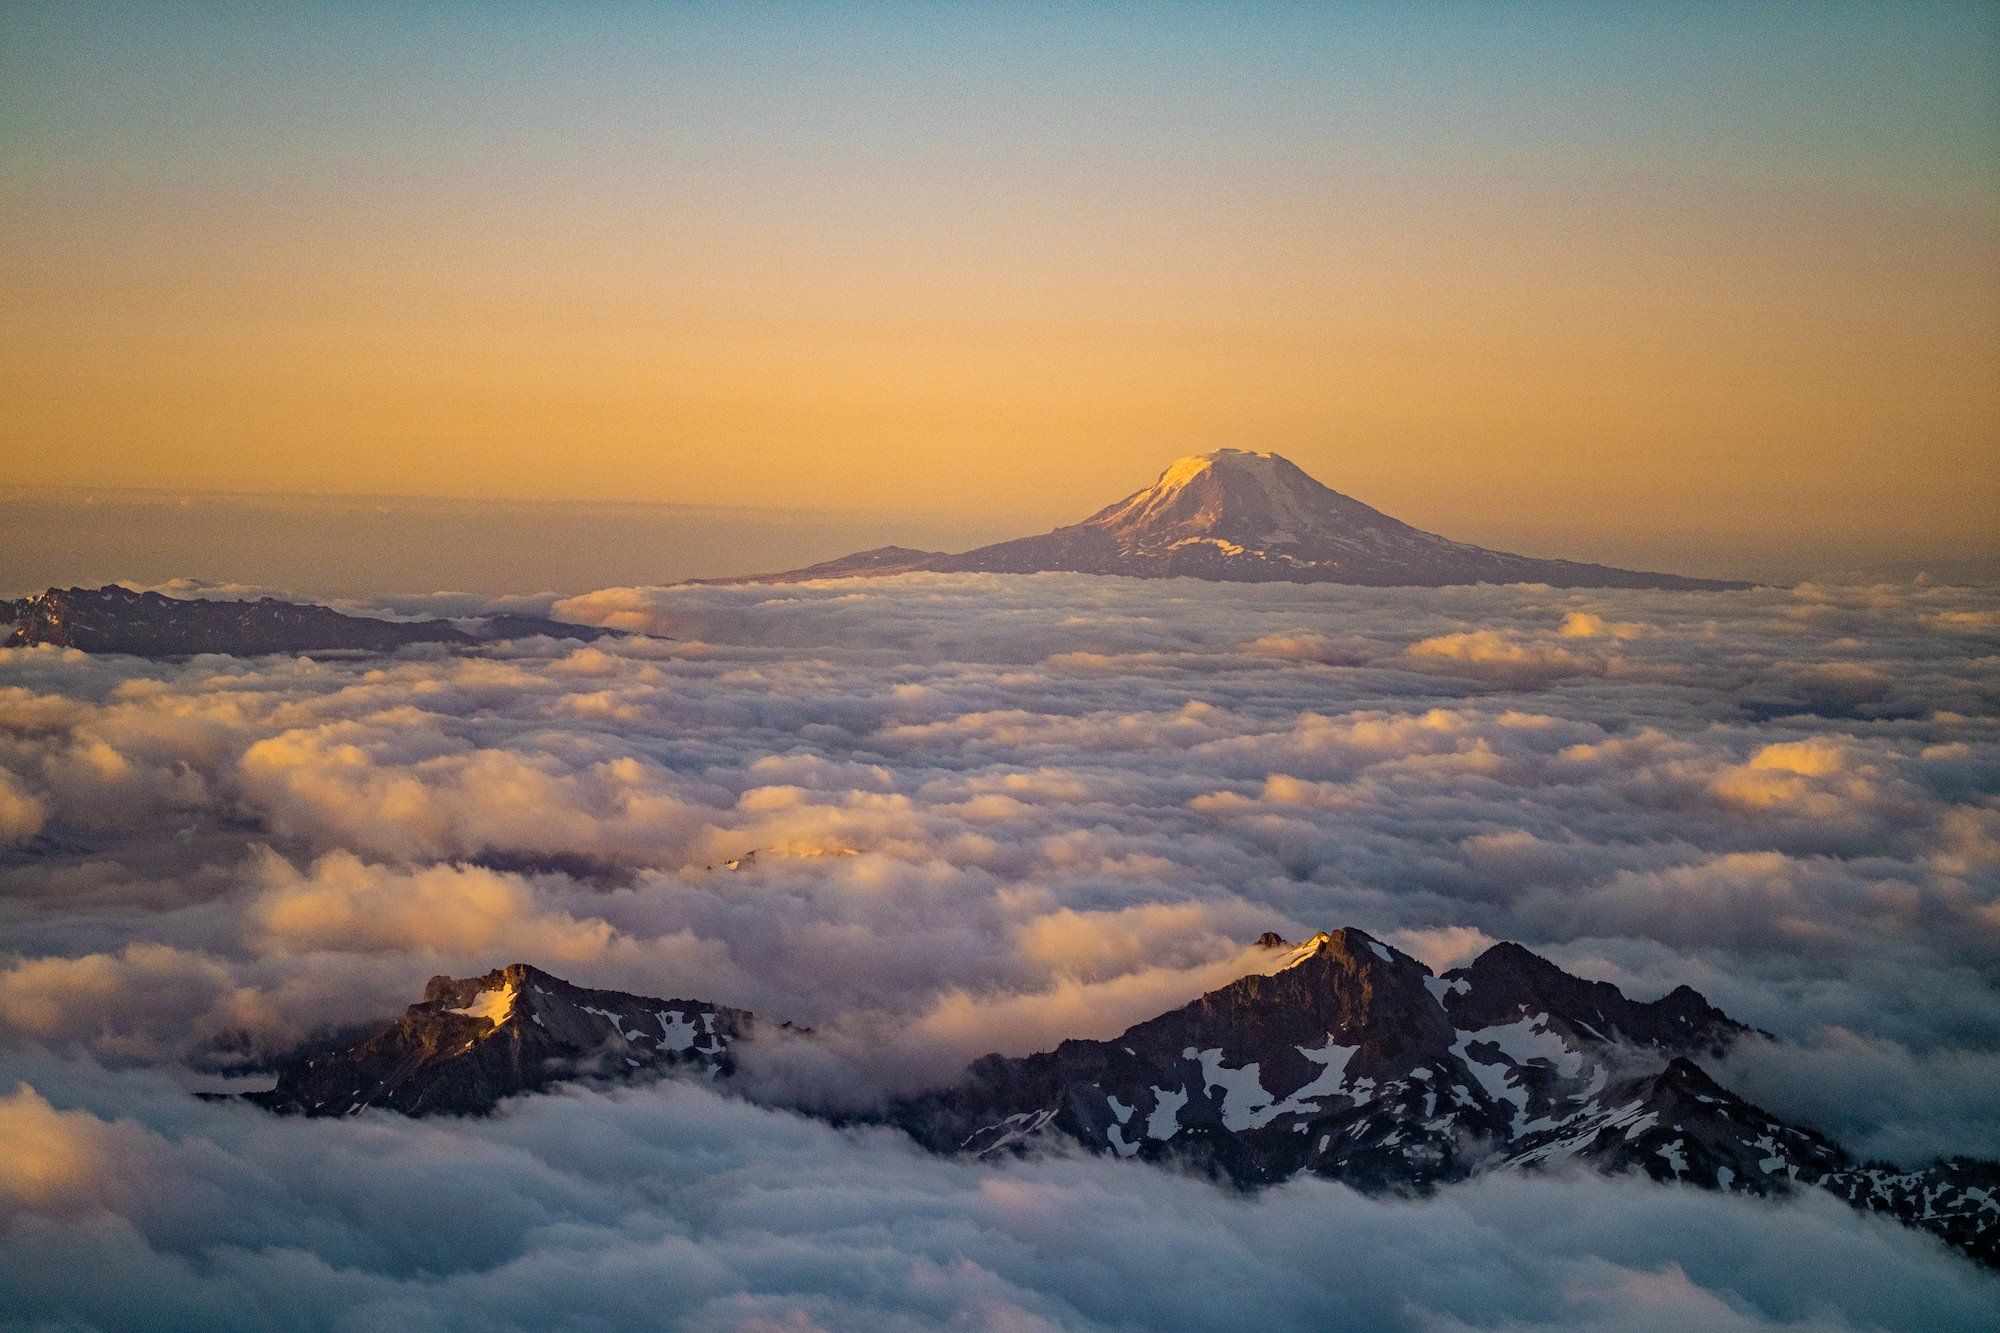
{"x":989,"y":814}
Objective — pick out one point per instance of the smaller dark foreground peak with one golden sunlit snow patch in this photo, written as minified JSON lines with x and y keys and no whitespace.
{"x":475,"y":1042}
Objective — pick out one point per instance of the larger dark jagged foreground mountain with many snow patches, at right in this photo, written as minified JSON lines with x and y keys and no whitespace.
{"x":1353,"y":1062}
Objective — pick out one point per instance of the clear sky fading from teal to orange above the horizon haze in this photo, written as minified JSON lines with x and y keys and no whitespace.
{"x":1523,"y":273}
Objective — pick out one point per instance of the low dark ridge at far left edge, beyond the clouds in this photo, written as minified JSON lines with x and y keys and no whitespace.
{"x":115,"y":619}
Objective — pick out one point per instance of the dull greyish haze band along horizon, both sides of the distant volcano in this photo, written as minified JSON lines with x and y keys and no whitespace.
{"x":359,"y":545}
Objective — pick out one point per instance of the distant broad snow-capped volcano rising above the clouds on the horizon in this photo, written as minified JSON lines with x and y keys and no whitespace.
{"x":1243,"y":517}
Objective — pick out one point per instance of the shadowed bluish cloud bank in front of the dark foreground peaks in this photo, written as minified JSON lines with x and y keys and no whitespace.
{"x":593,"y":1210}
